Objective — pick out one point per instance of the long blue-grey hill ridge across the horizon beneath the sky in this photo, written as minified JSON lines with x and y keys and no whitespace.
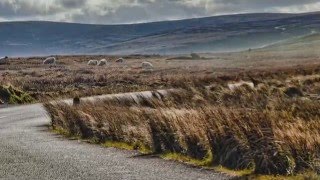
{"x":210,"y":34}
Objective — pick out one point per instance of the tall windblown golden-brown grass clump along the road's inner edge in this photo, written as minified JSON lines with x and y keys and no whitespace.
{"x":271,"y":128}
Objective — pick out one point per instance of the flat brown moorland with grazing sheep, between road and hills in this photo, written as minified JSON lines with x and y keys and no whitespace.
{"x":72,"y":76}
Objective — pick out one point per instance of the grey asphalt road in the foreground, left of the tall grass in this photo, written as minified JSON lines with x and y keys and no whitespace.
{"x":29,"y":151}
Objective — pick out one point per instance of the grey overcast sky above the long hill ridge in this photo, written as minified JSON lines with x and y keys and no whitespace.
{"x":133,"y":11}
